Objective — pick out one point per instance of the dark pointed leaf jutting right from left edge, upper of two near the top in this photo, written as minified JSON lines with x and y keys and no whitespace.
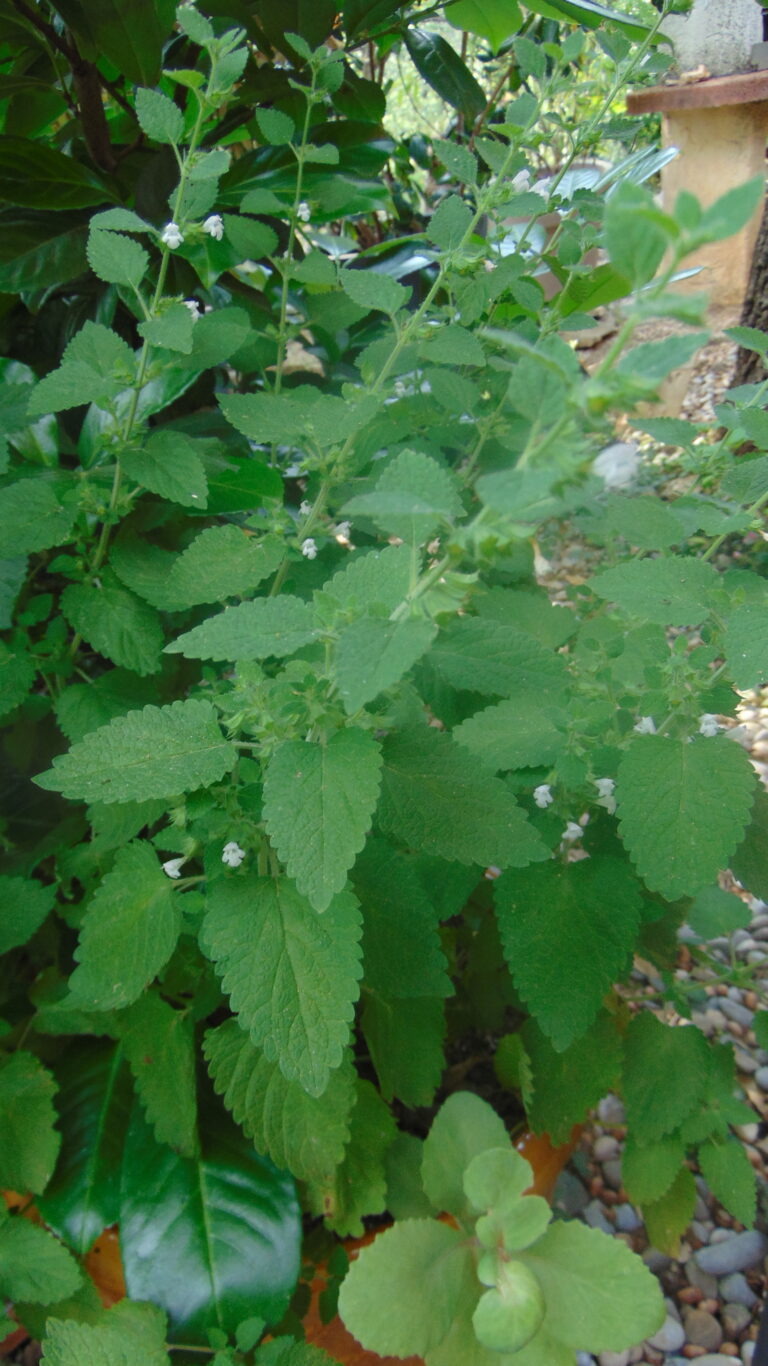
{"x":38,"y":177}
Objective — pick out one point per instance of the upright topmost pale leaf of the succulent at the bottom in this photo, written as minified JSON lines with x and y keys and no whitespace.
{"x":464,"y":1128}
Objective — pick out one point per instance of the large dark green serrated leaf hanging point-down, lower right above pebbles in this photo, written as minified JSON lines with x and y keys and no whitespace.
{"x":591,"y":910}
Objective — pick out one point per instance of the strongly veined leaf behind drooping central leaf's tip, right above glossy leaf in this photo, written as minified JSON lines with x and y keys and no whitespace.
{"x":303,"y":1134}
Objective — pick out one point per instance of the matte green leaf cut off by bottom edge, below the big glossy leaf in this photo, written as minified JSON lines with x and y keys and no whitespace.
{"x":126,"y":1334}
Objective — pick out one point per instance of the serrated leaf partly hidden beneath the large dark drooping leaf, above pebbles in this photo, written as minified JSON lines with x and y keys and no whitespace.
{"x":568,"y":1085}
